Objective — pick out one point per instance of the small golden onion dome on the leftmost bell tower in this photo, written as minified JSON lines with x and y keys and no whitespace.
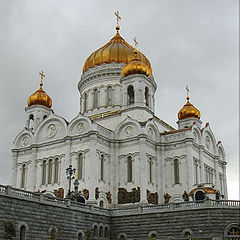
{"x":40,"y":98}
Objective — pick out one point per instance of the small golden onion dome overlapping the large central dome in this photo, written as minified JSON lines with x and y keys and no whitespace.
{"x":136,"y":66}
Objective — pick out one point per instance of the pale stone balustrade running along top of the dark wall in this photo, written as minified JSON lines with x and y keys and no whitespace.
{"x":137,"y":209}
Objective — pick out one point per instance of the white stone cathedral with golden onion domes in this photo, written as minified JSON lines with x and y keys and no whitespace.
{"x":122,"y":152}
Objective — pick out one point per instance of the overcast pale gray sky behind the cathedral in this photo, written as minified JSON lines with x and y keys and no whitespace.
{"x":192,"y":42}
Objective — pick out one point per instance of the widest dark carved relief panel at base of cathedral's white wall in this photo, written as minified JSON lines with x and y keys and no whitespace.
{"x":128,"y":197}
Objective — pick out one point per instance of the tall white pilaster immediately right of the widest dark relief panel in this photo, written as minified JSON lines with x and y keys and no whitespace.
{"x":143,"y":176}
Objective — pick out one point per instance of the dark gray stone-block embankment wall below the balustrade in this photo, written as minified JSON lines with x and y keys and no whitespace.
{"x":40,"y":216}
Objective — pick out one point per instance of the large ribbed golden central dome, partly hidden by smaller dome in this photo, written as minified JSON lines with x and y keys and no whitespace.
{"x":117,"y":50}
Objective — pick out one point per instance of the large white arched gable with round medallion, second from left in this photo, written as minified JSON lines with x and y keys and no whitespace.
{"x":54,"y":127}
